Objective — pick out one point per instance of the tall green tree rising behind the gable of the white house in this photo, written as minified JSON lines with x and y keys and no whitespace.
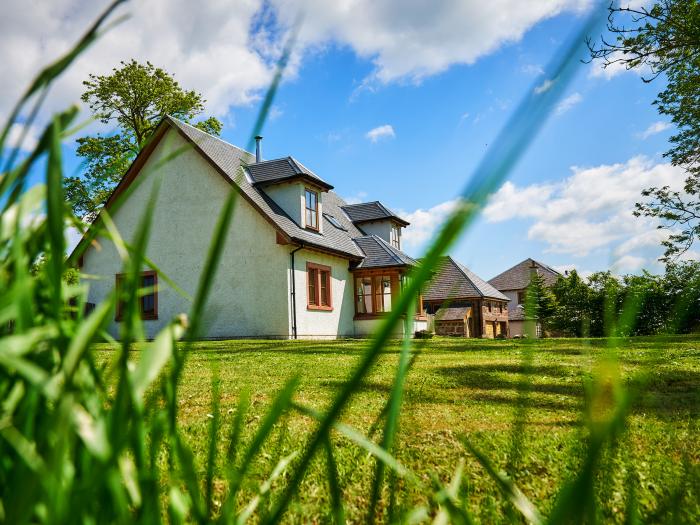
{"x":135,"y":97}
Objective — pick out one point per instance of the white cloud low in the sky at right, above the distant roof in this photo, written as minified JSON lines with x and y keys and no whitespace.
{"x":591,"y":210}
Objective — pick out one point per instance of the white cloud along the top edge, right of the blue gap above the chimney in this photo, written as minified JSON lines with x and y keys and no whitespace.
{"x":411,"y":40}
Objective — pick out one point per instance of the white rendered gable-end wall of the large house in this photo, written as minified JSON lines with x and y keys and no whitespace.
{"x":250,"y":294}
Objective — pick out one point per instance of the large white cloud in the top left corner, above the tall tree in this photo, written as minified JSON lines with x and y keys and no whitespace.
{"x":205,"y":45}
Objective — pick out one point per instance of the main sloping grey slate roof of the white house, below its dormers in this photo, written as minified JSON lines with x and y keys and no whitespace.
{"x":229,"y":159}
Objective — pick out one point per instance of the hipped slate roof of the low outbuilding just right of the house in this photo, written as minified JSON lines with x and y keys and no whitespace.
{"x":455,"y":281}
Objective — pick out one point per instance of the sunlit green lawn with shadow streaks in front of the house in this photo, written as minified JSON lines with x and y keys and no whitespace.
{"x":468,"y":389}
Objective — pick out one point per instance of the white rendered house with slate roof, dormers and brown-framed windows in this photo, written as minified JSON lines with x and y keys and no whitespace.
{"x":298,"y":260}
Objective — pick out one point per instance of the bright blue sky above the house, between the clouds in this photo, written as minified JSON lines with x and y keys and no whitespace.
{"x":433,"y":125}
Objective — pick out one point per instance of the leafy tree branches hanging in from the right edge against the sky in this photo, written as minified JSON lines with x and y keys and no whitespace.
{"x":665,"y":40}
